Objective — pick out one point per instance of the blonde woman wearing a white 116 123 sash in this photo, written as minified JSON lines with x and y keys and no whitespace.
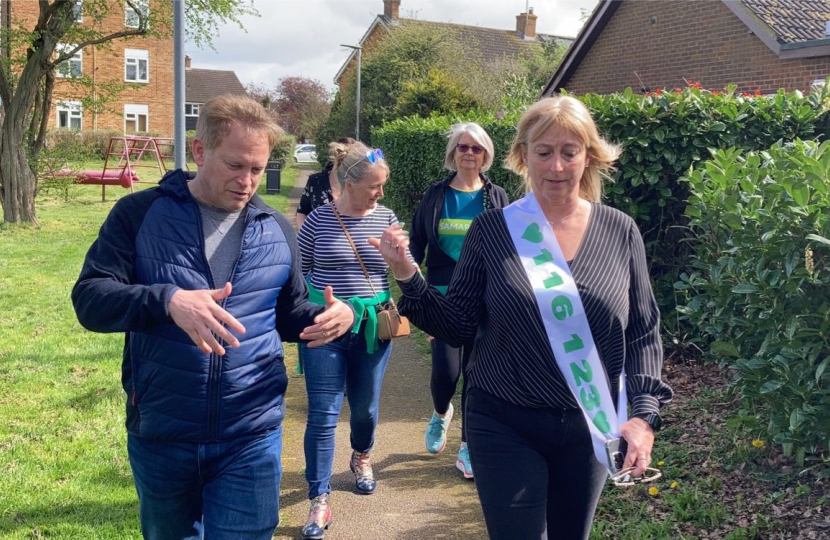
{"x":555,"y":291}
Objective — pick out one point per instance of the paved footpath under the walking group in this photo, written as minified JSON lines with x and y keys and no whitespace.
{"x":419,"y":495}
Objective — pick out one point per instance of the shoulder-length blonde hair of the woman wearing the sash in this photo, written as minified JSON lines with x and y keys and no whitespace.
{"x":570,"y":114}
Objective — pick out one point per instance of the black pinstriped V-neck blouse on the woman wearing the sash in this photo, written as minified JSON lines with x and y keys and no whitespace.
{"x":490,"y":298}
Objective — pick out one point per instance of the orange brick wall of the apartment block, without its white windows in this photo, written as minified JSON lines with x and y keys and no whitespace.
{"x":107,"y":63}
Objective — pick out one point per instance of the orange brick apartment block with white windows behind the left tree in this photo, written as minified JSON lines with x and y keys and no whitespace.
{"x":144,"y":64}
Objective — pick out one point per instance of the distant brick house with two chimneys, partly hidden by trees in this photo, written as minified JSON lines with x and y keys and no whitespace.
{"x":491,"y":44}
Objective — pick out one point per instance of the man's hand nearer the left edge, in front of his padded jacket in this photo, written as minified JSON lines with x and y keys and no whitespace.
{"x":198,"y":313}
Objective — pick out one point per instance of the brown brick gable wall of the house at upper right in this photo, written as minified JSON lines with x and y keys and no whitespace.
{"x":667,"y":41}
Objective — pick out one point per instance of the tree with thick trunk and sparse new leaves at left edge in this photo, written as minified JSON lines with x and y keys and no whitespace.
{"x":30,"y":57}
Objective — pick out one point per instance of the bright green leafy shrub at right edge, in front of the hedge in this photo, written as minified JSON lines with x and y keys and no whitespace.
{"x":759,"y":285}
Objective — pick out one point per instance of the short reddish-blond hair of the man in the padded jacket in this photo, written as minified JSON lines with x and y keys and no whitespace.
{"x":218,"y":115}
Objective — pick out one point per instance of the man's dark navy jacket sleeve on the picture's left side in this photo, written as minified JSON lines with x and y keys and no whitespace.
{"x":105,"y":297}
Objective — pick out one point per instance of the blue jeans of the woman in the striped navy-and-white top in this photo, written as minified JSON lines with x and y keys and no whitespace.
{"x":327,"y":368}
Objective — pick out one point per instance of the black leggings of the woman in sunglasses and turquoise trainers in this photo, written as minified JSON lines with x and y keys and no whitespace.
{"x":447,"y":365}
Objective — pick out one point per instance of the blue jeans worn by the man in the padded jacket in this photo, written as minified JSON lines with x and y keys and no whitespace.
{"x":223,"y":490}
